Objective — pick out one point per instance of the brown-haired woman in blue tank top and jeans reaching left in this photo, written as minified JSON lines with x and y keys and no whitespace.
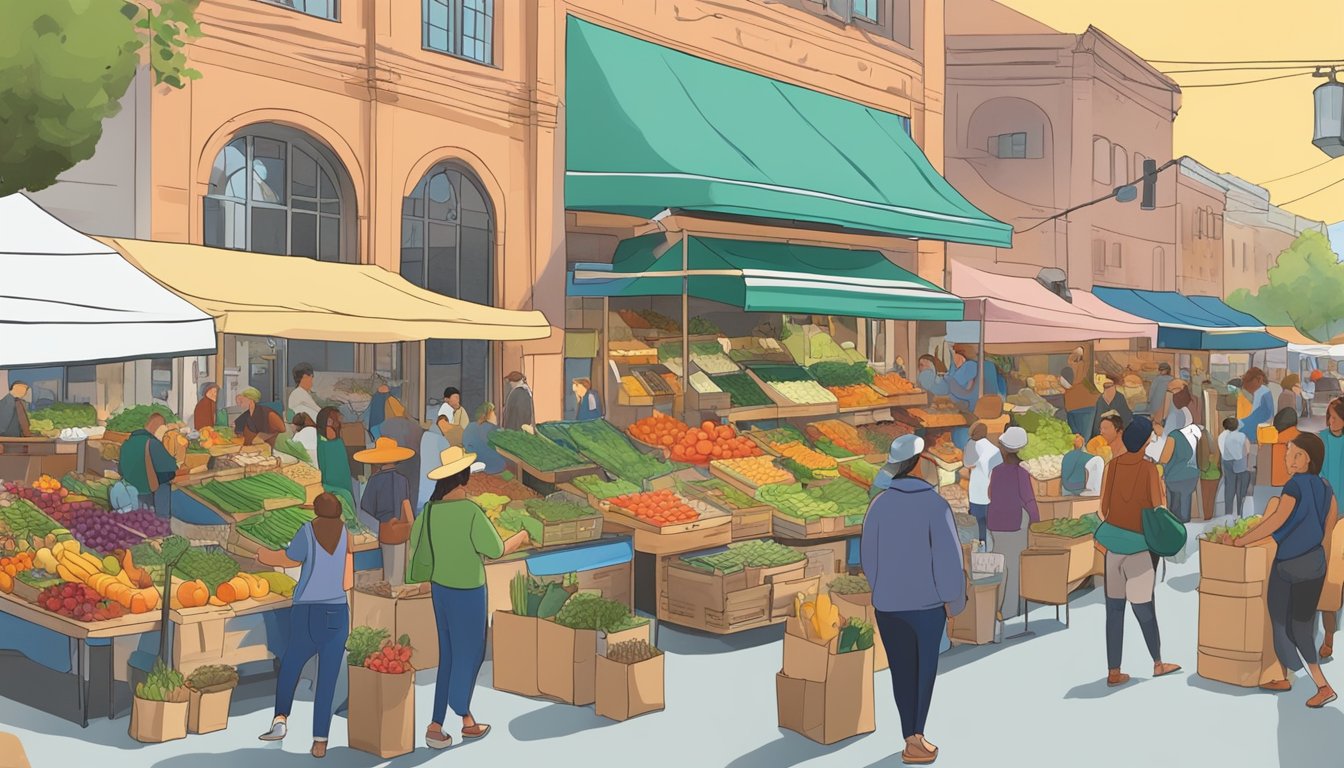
{"x":319,"y":619}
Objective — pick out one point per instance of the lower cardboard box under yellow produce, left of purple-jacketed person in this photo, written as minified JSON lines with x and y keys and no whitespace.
{"x":833,"y":711}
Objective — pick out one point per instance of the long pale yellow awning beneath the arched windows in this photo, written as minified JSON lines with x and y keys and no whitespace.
{"x":296,"y":298}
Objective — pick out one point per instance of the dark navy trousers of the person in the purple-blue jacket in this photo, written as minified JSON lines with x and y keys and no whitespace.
{"x":912,"y":640}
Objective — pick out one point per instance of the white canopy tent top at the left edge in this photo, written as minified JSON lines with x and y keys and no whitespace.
{"x":67,"y":298}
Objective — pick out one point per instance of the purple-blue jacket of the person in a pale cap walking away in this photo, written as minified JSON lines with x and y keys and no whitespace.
{"x":911,"y":551}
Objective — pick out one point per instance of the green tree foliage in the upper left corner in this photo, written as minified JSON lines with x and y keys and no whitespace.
{"x":65,"y":67}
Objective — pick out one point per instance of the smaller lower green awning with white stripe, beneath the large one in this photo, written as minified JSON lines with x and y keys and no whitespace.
{"x":768,"y":278}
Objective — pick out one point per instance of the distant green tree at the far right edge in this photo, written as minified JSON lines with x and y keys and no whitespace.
{"x":1306,"y":290}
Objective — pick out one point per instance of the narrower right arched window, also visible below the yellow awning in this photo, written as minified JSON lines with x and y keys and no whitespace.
{"x":448,"y":247}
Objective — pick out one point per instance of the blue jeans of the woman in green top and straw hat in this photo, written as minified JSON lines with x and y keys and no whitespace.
{"x":460,"y":617}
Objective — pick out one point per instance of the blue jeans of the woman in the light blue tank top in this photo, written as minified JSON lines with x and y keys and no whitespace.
{"x":317,"y":629}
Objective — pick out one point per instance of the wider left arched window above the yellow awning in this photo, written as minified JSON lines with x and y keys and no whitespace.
{"x":276,"y":190}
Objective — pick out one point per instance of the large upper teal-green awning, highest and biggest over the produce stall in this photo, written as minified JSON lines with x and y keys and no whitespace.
{"x":650,"y":128}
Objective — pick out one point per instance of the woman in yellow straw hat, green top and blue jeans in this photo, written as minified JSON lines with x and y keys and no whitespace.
{"x":450,"y":544}
